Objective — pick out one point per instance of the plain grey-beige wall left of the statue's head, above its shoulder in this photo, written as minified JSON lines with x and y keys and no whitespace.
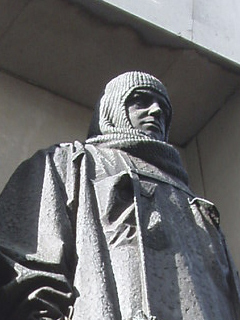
{"x":31,"y":119}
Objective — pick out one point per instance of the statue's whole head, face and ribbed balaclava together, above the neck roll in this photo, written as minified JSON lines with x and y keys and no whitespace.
{"x":136,"y":103}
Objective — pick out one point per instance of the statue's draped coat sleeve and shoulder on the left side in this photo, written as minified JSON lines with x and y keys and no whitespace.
{"x":37,"y":247}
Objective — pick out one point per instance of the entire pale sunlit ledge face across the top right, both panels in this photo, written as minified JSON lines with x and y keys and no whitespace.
{"x":214,"y":24}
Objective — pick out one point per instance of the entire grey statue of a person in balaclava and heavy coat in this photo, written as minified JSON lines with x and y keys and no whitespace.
{"x":108,"y":229}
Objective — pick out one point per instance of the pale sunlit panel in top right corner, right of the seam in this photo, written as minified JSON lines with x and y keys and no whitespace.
{"x":216,"y":26}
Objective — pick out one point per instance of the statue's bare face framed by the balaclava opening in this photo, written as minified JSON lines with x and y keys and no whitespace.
{"x":148,"y":111}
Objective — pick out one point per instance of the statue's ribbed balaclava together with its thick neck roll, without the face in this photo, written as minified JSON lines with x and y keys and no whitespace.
{"x":111,"y":127}
